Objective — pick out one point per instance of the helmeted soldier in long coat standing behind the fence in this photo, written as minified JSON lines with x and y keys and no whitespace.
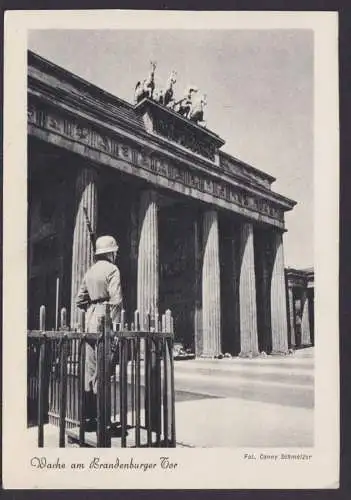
{"x":101,"y":285}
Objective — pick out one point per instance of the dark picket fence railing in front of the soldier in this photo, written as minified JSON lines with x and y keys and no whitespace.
{"x":135,"y":382}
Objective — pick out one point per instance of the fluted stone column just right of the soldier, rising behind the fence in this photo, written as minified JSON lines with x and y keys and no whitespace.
{"x":148,"y":255}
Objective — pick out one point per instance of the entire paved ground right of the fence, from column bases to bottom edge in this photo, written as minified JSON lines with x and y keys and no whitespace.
{"x":246,"y":403}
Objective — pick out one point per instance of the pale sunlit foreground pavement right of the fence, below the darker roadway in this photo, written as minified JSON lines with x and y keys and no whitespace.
{"x":233,"y":422}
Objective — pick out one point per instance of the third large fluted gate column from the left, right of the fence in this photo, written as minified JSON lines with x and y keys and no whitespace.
{"x":211,"y":306}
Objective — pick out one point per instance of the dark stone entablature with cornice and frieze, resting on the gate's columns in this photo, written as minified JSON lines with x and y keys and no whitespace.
{"x":54,"y":111}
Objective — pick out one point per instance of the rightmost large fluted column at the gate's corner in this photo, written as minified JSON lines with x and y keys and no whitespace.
{"x":279,"y":318}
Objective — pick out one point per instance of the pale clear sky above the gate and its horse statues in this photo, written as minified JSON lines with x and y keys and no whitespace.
{"x":259,"y":87}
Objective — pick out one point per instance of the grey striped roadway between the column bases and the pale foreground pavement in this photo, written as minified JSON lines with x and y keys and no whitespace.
{"x":283,"y":381}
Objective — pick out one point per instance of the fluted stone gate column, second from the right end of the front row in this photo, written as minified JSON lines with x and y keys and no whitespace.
{"x":247,"y":294}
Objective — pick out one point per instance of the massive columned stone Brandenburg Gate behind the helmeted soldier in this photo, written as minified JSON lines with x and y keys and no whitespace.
{"x":200,"y":232}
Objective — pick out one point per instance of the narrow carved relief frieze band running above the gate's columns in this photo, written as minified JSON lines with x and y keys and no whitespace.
{"x":176,"y":172}
